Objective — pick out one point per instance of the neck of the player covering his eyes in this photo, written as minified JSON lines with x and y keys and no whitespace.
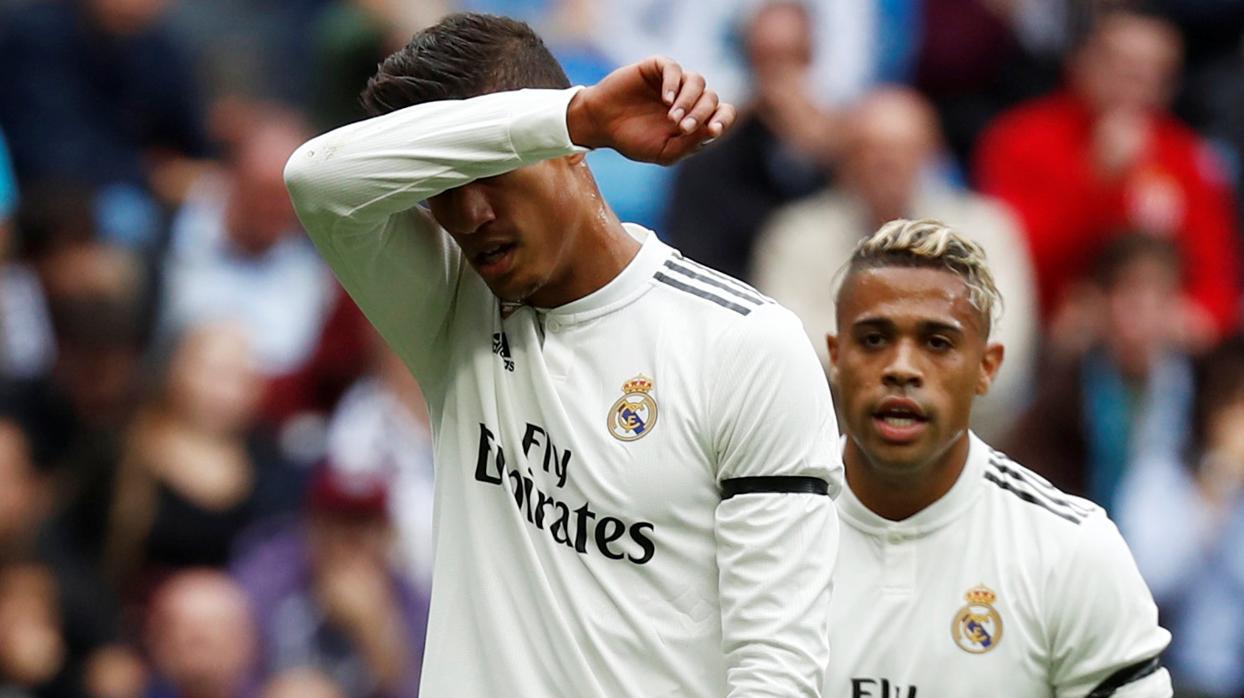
{"x":601,"y":251}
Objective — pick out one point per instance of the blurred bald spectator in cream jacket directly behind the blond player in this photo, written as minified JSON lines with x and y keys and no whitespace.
{"x":891,"y":145}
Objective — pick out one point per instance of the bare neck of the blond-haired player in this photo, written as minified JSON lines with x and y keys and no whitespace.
{"x":899,"y":493}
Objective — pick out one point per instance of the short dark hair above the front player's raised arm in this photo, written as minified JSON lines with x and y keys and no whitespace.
{"x":465,"y":55}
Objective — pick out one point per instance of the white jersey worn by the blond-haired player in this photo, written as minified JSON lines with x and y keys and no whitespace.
{"x":1006,"y":587}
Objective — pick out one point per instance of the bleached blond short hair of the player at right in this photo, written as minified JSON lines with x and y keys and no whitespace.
{"x":932,"y":244}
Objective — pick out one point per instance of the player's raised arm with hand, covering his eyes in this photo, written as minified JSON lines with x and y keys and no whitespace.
{"x":358,"y":188}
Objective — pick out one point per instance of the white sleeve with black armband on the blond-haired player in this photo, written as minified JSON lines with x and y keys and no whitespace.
{"x":1103,"y":623}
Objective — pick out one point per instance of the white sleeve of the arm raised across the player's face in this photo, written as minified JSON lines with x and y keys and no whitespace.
{"x":358,"y":190}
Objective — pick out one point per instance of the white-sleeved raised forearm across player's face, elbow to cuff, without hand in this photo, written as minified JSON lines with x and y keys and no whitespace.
{"x":365,"y":172}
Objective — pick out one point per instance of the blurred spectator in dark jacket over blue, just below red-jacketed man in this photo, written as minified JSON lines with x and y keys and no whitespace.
{"x":1129,"y":394}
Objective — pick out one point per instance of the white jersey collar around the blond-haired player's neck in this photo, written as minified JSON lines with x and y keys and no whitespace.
{"x":934,"y":517}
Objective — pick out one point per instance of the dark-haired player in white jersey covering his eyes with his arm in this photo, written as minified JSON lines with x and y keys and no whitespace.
{"x":634,"y":452}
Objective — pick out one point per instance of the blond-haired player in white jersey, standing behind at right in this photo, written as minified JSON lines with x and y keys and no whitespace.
{"x":961,"y":573}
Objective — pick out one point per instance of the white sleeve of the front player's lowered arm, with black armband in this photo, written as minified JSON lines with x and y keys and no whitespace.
{"x":773,"y":419}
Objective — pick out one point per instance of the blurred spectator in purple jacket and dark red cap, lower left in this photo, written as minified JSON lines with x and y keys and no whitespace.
{"x":328,"y":595}
